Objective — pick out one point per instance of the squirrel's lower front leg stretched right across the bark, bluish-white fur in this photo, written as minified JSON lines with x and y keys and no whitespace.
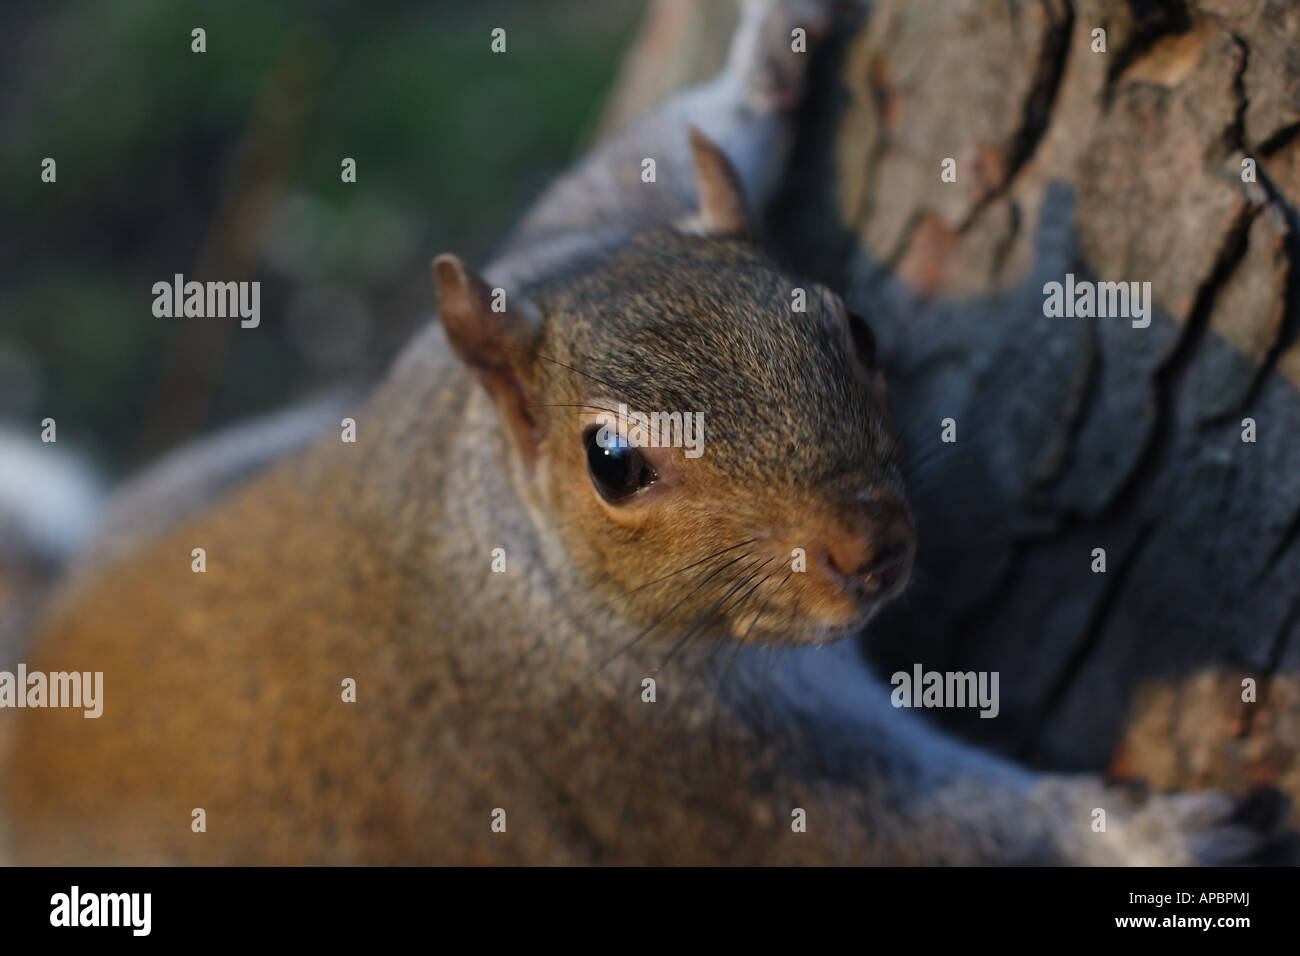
{"x":918,"y":797}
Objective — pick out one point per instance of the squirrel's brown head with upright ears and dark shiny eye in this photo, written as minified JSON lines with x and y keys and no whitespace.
{"x":703,"y":440}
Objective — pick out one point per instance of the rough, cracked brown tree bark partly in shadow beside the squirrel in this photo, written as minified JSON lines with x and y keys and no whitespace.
{"x":1076,"y":434}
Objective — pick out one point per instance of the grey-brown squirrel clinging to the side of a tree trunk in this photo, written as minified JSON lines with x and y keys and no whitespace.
{"x":645,"y":677}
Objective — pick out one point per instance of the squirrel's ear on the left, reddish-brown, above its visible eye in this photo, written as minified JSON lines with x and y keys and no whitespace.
{"x":496,"y":344}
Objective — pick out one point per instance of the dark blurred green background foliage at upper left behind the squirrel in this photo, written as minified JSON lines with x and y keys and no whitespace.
{"x":170,"y":159}
